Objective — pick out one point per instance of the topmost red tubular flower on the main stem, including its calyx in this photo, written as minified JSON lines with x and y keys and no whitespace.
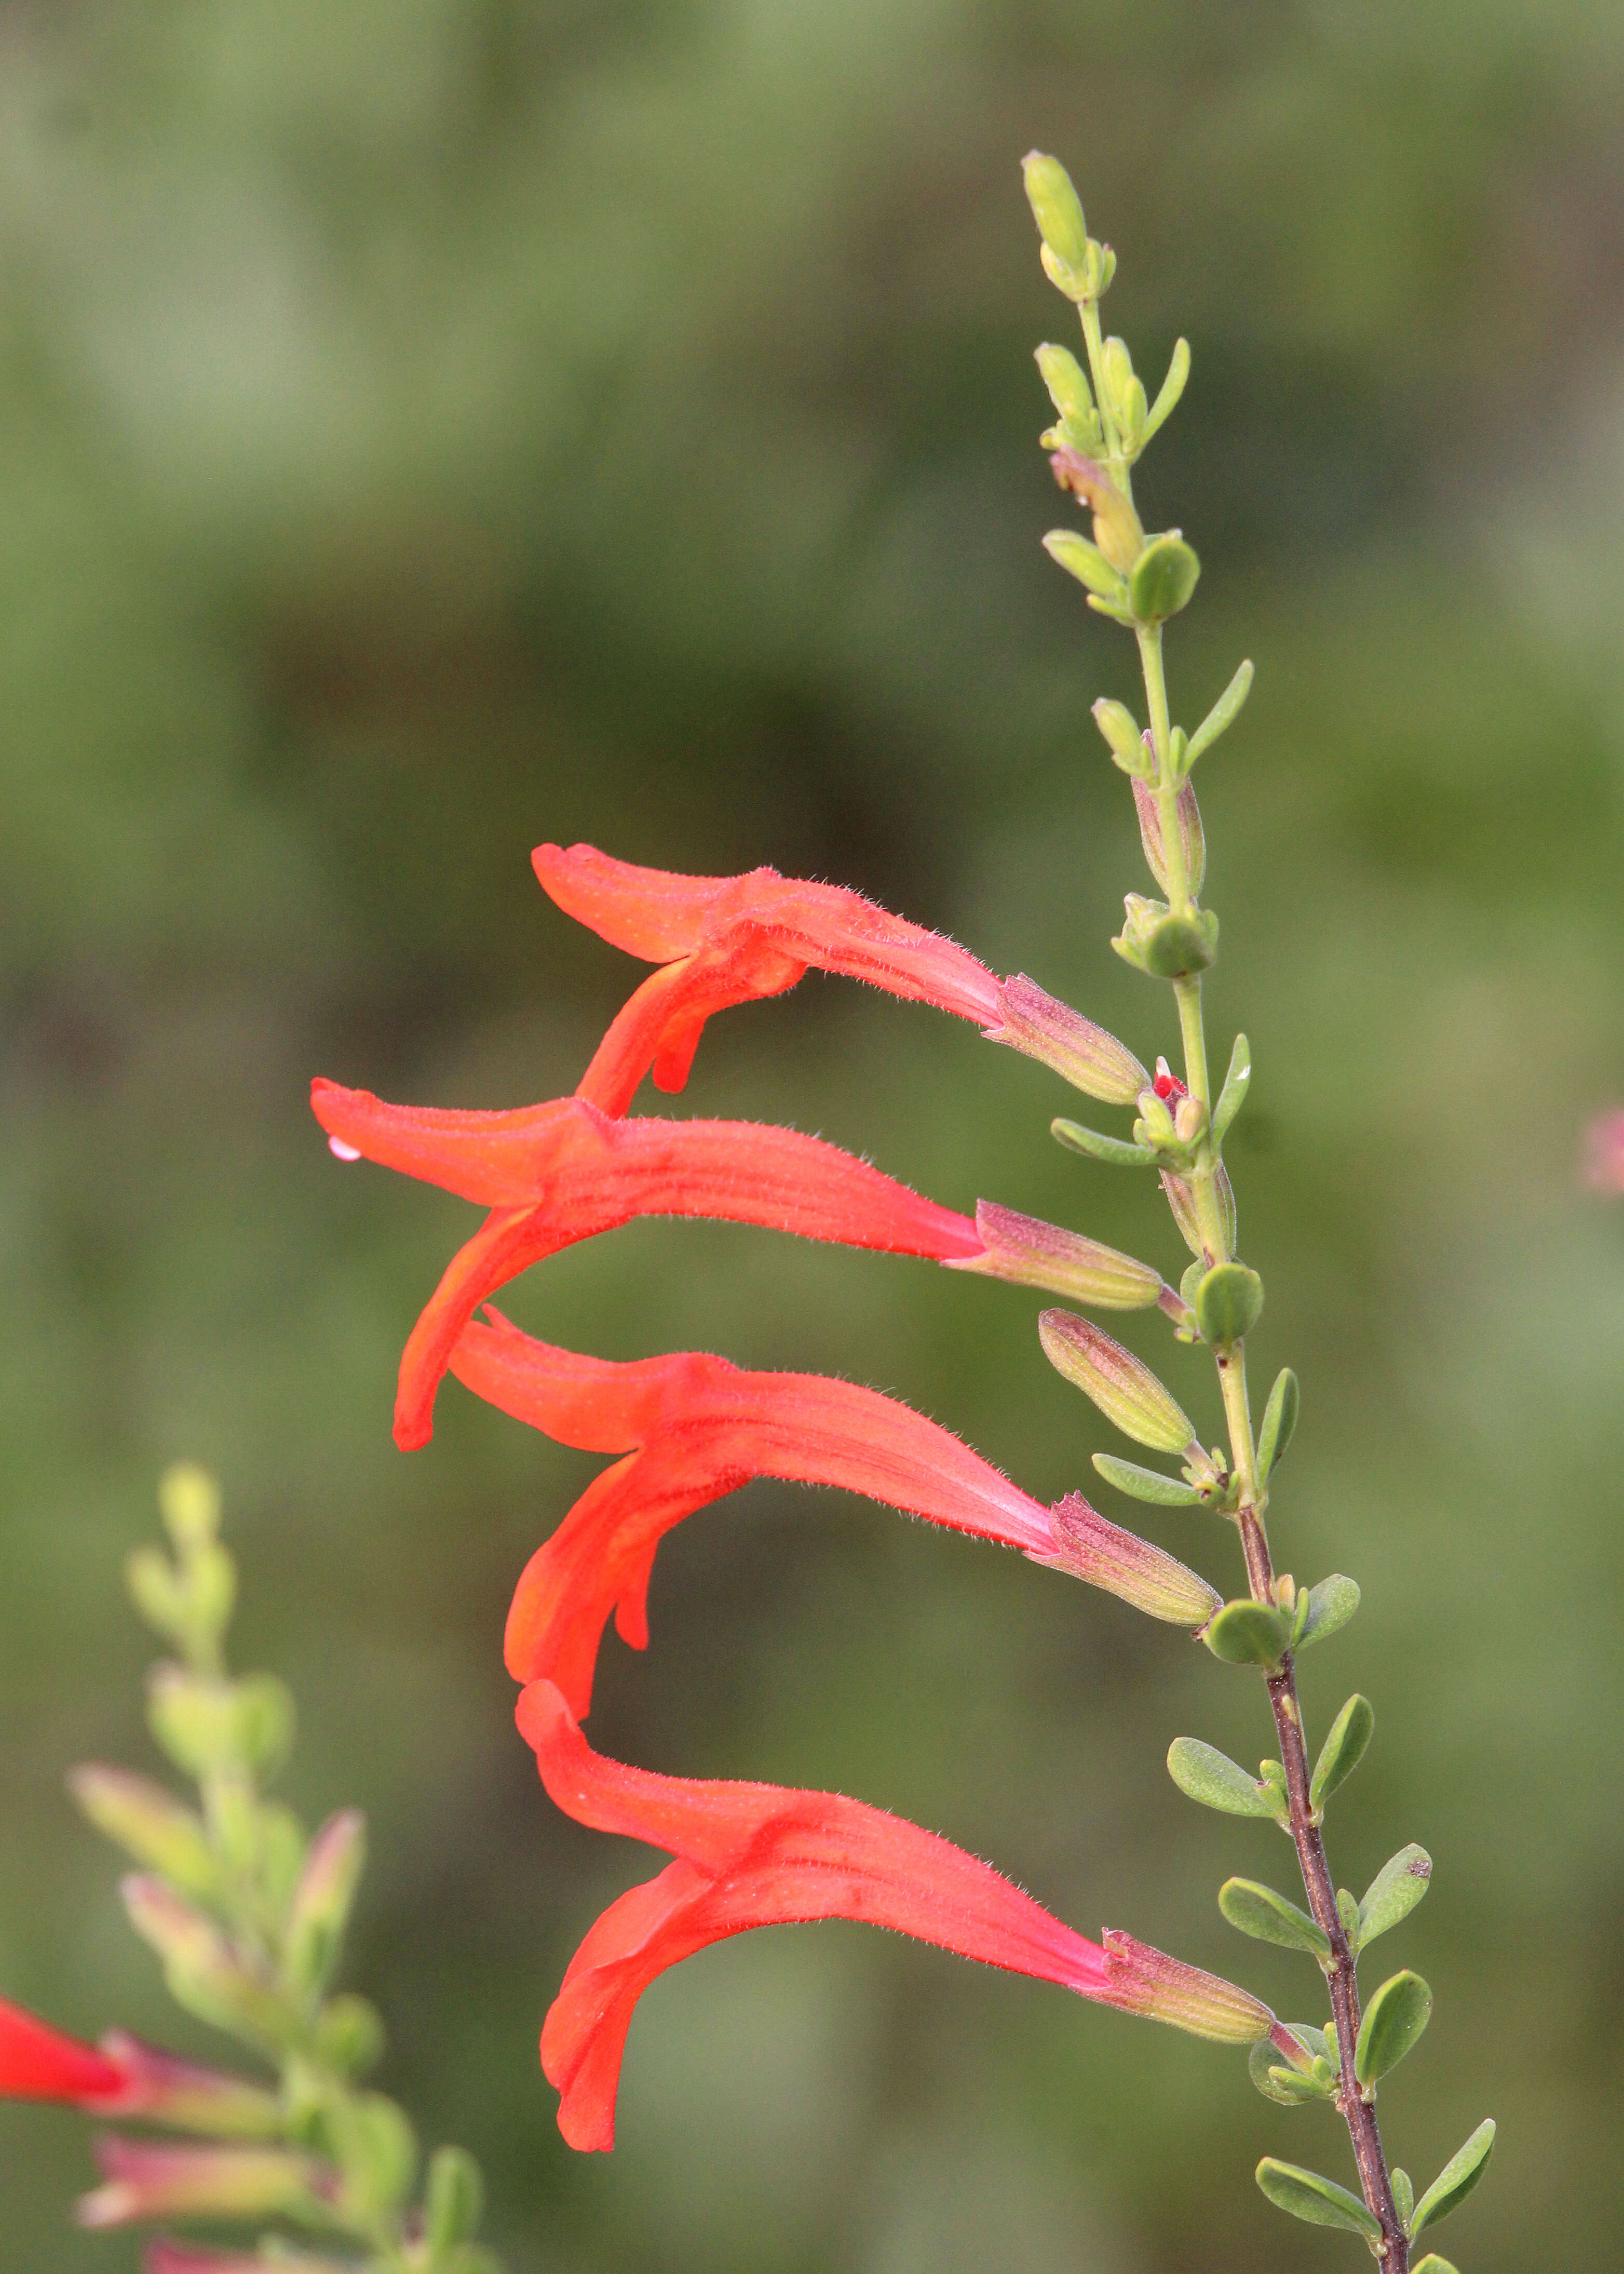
{"x":729,"y":940}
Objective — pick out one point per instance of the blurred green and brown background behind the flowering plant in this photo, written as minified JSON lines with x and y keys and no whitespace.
{"x":433,"y":426}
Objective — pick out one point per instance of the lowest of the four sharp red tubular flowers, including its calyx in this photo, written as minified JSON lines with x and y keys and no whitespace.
{"x":770,"y":1857}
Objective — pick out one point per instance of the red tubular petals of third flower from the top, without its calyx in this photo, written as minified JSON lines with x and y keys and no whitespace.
{"x":697,"y":1429}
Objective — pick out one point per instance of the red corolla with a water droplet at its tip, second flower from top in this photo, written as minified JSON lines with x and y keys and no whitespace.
{"x":563,"y":1172}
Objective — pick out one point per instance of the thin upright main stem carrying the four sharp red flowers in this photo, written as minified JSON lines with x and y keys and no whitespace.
{"x":1289,"y":1720}
